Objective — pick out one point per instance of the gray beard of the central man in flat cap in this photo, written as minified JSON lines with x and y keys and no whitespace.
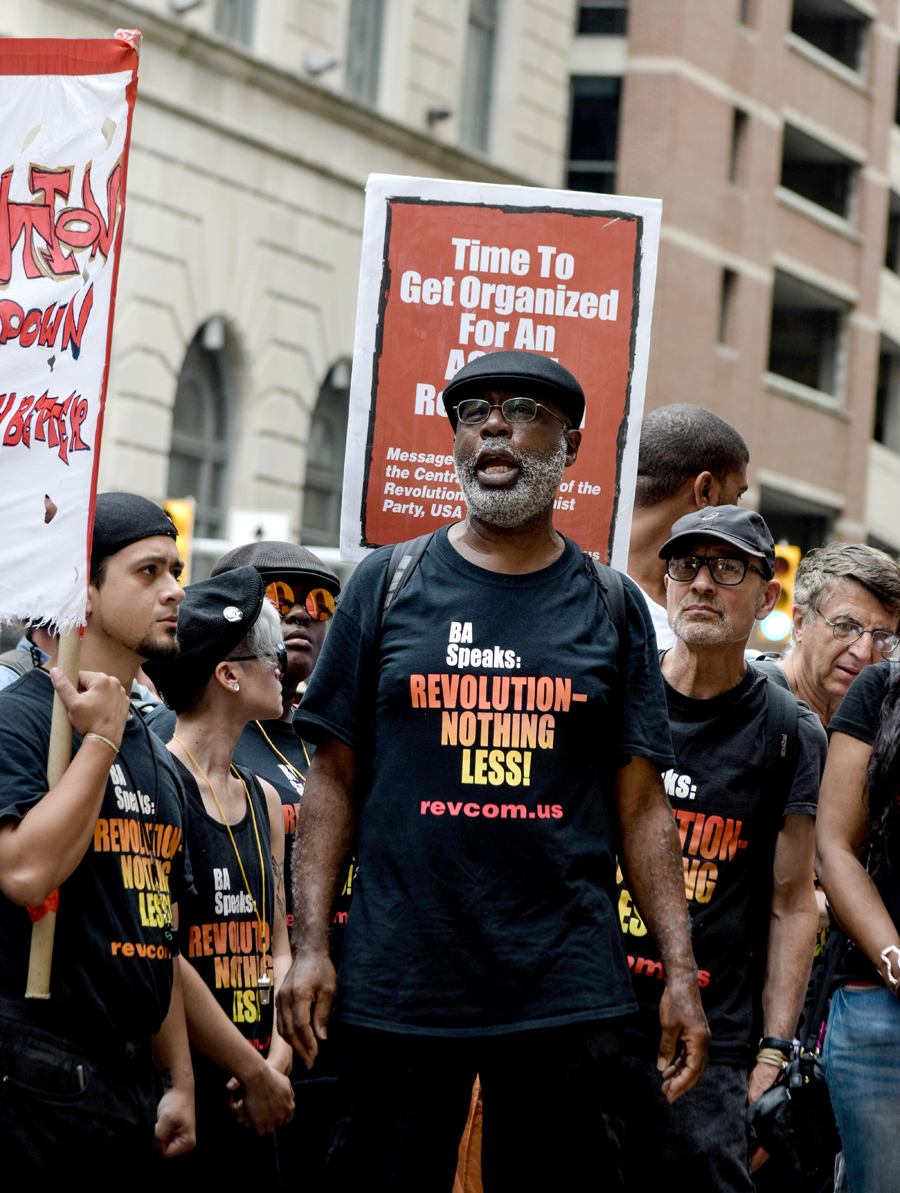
{"x":534,"y":491}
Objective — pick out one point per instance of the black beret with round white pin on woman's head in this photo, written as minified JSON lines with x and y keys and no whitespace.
{"x":213,"y":619}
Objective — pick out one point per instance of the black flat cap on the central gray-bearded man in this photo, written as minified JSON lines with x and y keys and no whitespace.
{"x":525,"y":374}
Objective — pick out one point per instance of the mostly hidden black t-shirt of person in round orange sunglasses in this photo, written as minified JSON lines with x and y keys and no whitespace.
{"x":255,"y":753}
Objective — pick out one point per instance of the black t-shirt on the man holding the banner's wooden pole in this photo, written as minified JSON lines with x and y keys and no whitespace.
{"x":112,"y":968}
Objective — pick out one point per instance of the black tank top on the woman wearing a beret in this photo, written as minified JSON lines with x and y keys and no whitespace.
{"x":218,"y":925}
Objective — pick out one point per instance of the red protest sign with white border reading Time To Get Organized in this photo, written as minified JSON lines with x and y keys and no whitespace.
{"x":453,"y":270}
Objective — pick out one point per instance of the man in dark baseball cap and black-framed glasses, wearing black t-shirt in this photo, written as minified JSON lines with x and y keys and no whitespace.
{"x":745,"y":802}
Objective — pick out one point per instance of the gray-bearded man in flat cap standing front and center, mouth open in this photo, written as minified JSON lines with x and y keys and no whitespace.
{"x":491,"y":762}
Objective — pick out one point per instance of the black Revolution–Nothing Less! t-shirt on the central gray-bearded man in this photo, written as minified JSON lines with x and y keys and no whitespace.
{"x":489,"y":728}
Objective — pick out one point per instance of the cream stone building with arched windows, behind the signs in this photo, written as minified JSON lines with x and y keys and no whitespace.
{"x":255,"y":131}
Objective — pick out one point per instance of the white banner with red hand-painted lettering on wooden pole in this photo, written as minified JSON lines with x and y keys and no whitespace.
{"x":65,"y":127}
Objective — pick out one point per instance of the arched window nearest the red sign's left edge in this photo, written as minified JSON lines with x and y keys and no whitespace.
{"x":325,"y":460}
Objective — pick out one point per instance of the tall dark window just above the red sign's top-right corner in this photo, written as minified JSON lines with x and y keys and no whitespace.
{"x":595,"y":133}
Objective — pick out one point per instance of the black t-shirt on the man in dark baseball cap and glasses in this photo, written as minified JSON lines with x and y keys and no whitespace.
{"x":728,"y":829}
